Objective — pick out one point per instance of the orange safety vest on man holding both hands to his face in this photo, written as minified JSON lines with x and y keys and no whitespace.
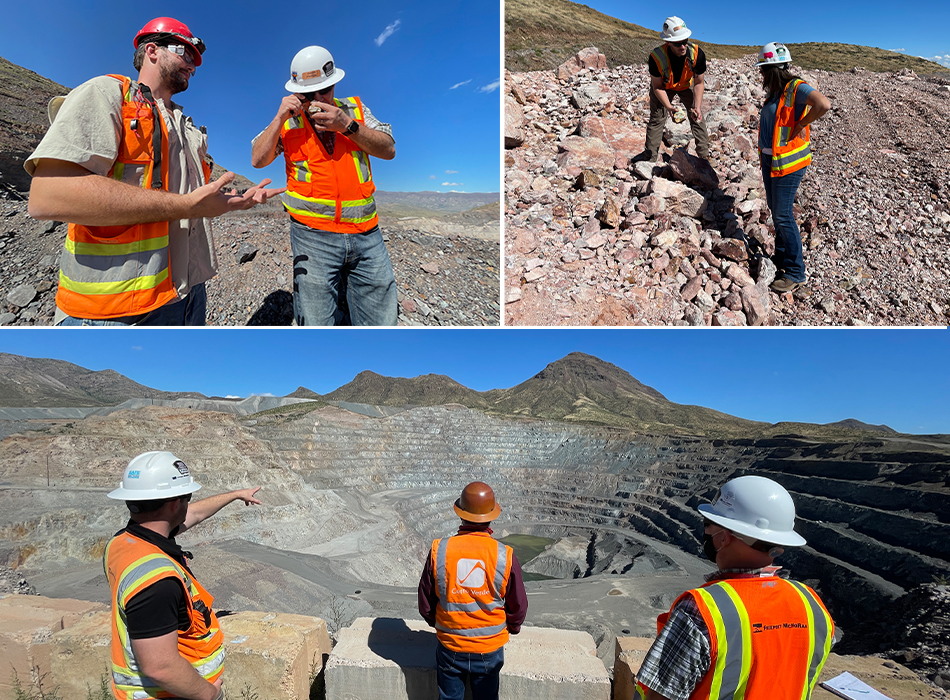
{"x":328,"y":192}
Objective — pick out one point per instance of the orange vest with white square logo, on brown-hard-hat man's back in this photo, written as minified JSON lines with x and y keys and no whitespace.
{"x":471,"y":575}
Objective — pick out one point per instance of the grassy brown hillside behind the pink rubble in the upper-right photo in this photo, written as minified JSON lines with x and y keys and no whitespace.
{"x":542,"y":34}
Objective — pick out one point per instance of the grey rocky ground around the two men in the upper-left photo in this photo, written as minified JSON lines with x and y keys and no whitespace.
{"x":446,"y":275}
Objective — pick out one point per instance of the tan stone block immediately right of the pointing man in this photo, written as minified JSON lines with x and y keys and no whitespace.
{"x":273,"y":656}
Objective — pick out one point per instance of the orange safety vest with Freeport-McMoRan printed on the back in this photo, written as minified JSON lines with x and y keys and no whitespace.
{"x":769,"y":639}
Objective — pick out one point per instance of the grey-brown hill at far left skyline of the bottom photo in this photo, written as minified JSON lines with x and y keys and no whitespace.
{"x":29,"y":382}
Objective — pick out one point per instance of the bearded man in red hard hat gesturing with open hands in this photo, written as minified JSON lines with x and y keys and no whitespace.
{"x":130,"y":173}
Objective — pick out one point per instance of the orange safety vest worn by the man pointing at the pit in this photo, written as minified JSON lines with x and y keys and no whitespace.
{"x":131,"y":565}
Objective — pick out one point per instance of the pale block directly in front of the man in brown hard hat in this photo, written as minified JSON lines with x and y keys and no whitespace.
{"x":383,"y":658}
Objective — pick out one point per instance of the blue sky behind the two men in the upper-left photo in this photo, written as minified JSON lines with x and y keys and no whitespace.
{"x":429,"y":67}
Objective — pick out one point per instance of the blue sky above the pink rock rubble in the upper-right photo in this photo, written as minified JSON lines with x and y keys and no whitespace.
{"x":918,"y":29}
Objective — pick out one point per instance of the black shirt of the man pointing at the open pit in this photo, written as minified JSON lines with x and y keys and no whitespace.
{"x":160,"y":608}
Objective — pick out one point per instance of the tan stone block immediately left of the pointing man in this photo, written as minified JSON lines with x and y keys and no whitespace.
{"x":80,"y":656}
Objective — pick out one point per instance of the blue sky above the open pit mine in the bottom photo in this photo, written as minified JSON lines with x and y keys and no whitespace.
{"x":895,"y":377}
